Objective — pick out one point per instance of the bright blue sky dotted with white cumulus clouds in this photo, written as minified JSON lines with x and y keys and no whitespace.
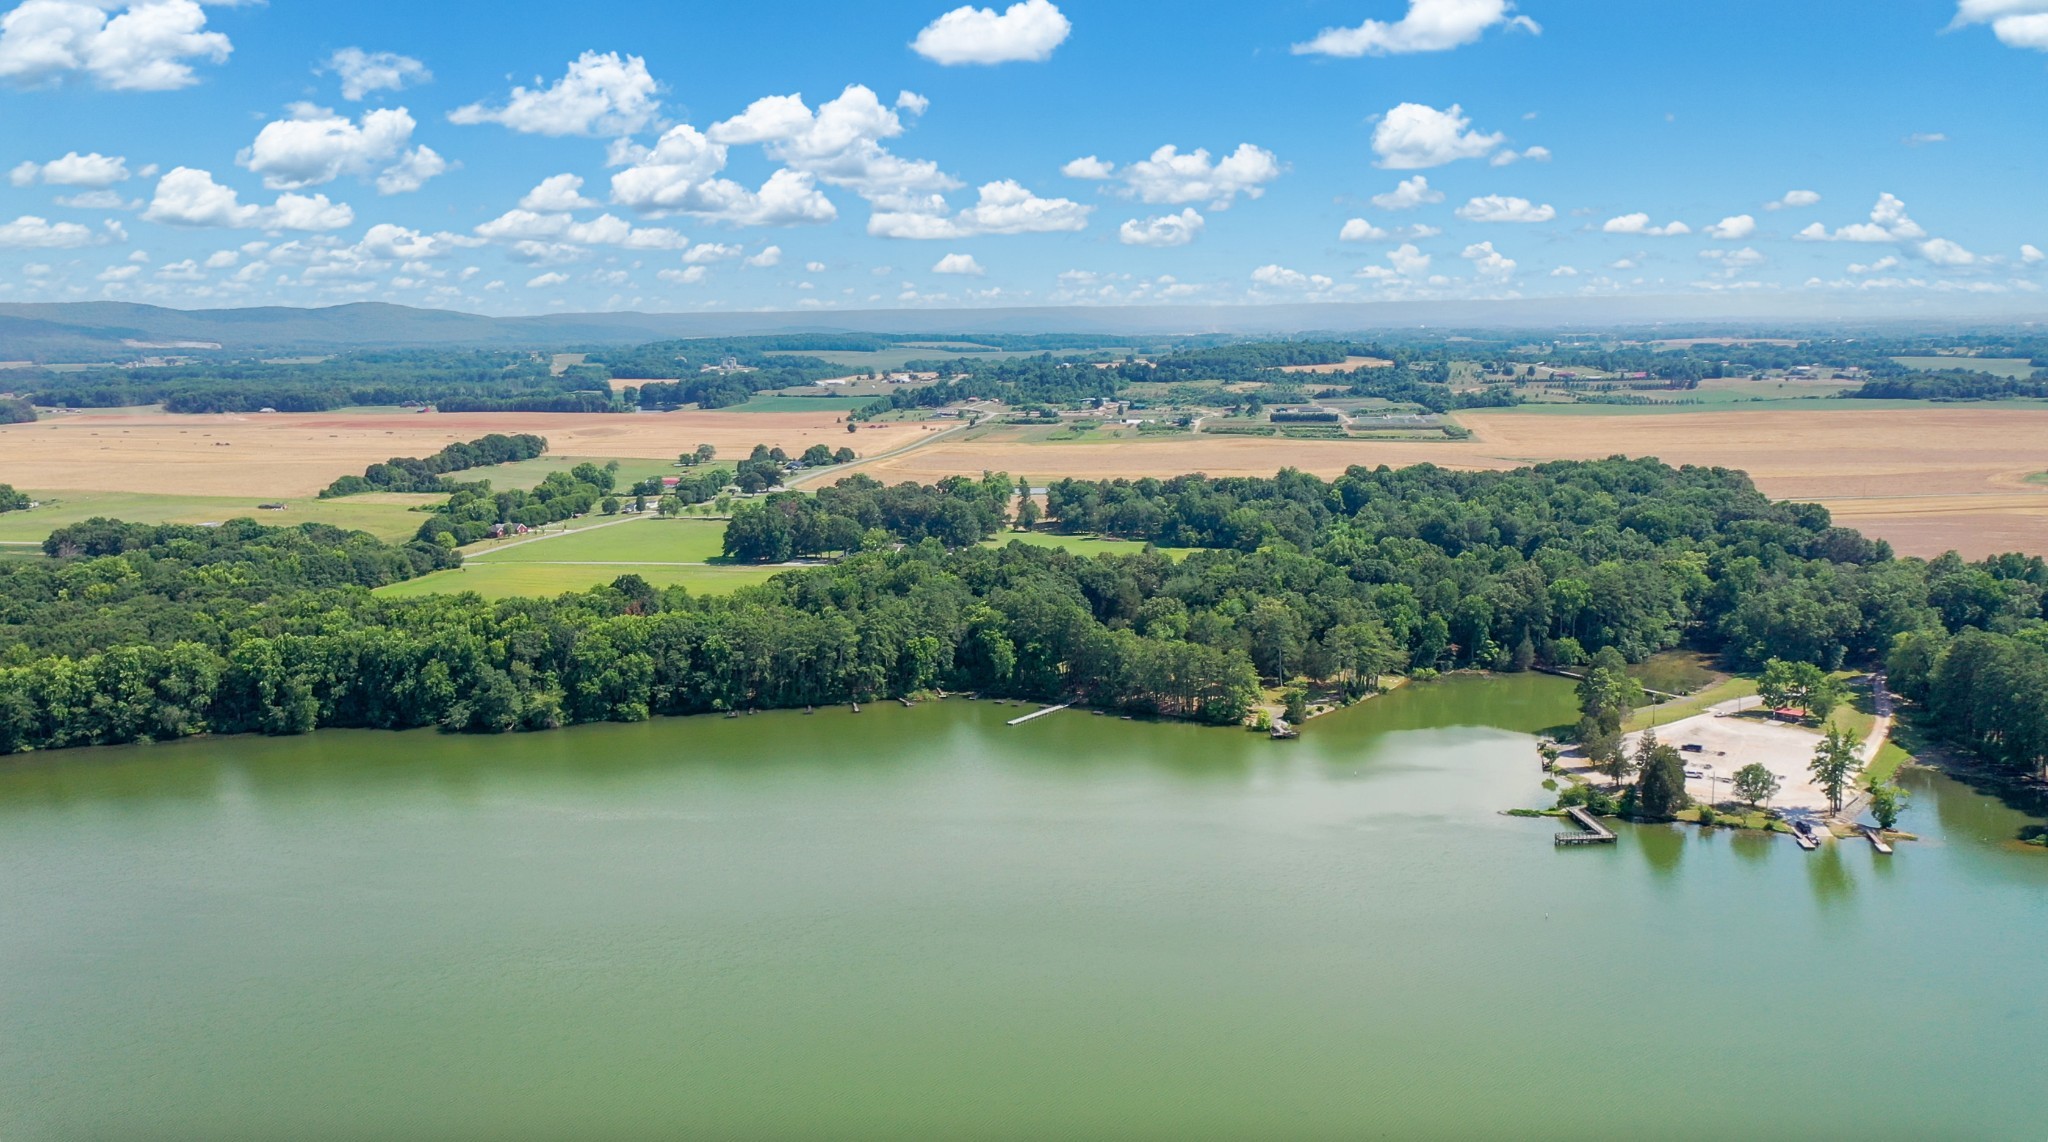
{"x":685,"y":157}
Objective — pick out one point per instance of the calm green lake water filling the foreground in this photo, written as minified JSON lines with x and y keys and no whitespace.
{"x":925,"y":924}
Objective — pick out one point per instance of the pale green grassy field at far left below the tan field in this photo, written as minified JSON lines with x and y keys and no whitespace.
{"x":382,"y":515}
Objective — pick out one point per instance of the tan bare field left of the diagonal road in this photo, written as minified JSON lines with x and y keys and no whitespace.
{"x":296,"y":455}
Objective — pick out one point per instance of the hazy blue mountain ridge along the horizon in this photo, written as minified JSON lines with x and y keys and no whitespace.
{"x":120,"y":331}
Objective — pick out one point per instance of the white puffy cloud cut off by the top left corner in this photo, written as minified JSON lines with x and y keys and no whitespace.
{"x":132,"y":48}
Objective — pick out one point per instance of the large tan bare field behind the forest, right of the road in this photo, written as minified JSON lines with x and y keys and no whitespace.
{"x":1928,"y":478}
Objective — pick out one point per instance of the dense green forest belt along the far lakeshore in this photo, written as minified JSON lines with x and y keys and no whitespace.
{"x":140,"y":633}
